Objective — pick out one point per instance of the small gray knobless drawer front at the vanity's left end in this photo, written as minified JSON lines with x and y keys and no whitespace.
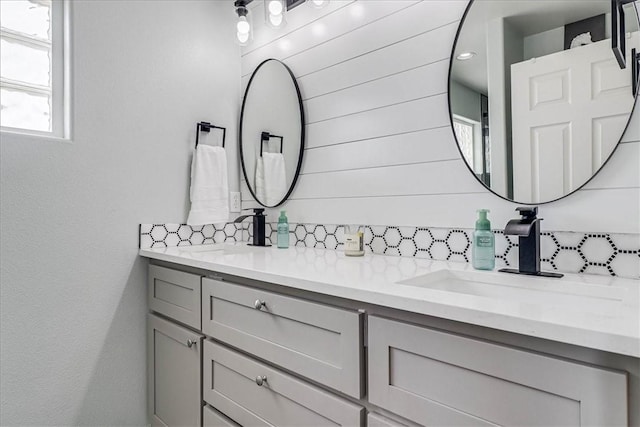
{"x":175,"y":294}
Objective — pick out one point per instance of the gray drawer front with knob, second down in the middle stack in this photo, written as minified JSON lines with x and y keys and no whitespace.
{"x":231,"y":386}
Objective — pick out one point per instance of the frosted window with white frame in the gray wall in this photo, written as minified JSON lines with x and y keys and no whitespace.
{"x":32,"y":81}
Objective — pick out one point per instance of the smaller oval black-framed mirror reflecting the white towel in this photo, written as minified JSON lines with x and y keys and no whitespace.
{"x":271,"y":133}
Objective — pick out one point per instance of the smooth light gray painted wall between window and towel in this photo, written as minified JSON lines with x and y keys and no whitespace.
{"x":72,"y":301}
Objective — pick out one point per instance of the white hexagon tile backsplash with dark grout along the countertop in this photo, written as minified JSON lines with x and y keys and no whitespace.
{"x":591,"y":253}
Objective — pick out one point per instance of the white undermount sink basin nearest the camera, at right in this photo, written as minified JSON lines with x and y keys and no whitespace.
{"x":526,"y":289}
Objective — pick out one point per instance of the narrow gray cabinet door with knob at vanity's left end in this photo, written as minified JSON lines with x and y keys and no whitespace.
{"x":174,"y":374}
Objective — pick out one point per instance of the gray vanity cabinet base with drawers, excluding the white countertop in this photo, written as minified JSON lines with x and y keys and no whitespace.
{"x":223,"y":354}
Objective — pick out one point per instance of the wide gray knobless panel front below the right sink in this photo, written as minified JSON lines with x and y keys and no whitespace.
{"x":437,"y":378}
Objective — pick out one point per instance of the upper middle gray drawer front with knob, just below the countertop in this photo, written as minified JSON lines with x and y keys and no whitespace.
{"x":319,"y":342}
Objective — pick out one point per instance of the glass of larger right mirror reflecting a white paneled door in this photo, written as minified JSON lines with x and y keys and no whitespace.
{"x":538,"y":100}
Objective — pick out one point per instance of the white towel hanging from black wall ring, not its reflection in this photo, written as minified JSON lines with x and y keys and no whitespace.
{"x":209,"y":186}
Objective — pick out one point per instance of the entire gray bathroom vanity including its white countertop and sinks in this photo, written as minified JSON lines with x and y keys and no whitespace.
{"x":261,"y":336}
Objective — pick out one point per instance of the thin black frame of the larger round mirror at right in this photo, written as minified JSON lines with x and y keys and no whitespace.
{"x":451,"y":62}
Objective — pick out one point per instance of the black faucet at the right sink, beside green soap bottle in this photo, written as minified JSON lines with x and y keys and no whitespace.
{"x":527,"y":229}
